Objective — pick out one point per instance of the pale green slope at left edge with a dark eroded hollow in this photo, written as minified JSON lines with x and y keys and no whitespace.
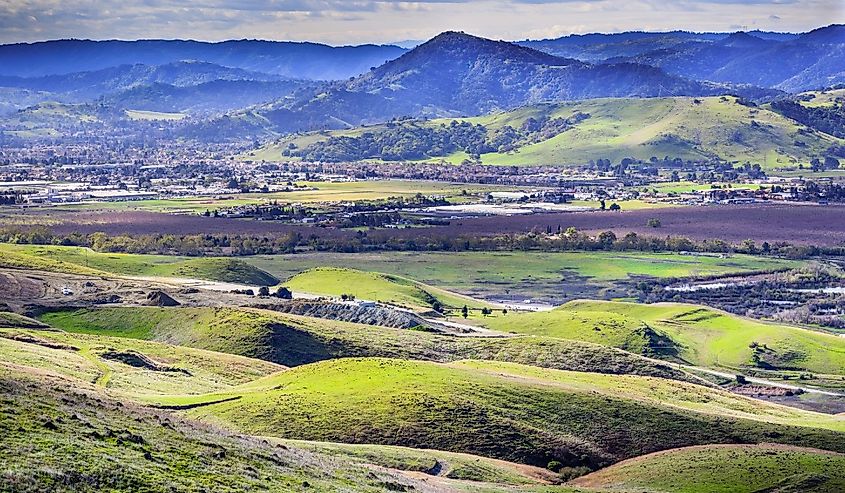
{"x":128,"y":366}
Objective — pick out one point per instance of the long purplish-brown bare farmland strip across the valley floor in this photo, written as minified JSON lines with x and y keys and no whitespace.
{"x":795,"y":224}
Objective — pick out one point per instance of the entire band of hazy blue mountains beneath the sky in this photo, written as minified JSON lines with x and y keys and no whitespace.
{"x":243,"y":89}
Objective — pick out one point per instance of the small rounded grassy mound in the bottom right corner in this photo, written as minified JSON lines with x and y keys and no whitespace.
{"x":725,"y":469}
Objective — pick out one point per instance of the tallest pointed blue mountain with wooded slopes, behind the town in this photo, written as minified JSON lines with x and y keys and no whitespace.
{"x":455,"y":74}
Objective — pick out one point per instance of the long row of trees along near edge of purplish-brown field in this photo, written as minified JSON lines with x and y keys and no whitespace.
{"x":547,"y":239}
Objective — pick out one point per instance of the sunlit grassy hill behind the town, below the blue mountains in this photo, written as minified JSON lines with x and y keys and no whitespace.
{"x":692,"y":128}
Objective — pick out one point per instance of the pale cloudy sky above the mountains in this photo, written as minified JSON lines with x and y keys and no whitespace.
{"x":341,"y":22}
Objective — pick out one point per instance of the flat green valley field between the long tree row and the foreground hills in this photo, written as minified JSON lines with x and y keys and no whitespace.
{"x":492,"y":275}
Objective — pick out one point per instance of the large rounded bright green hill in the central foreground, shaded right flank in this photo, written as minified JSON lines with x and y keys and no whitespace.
{"x":506,"y":411}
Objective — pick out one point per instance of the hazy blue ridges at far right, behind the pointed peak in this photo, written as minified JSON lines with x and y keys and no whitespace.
{"x":785,"y":61}
